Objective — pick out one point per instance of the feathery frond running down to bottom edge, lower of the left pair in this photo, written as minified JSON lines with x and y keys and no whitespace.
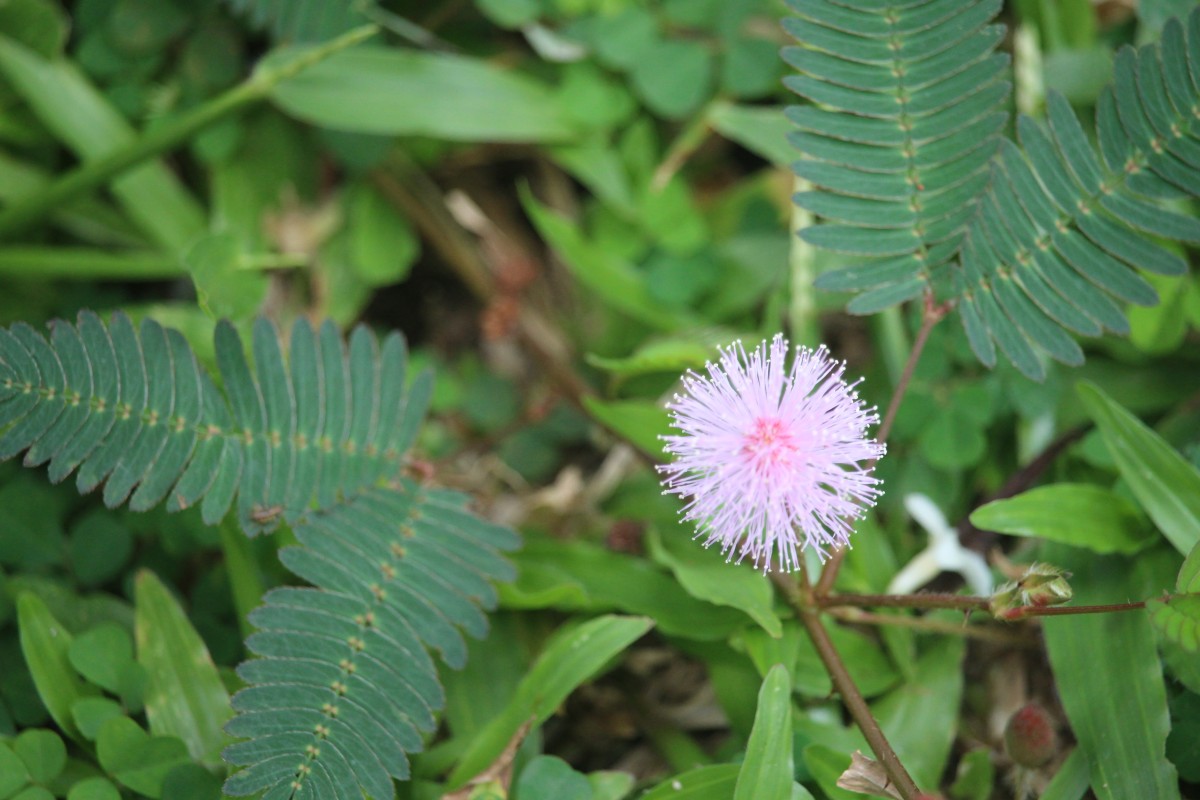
{"x":345,"y":688}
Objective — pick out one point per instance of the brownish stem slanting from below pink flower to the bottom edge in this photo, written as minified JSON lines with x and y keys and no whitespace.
{"x":800,"y":599}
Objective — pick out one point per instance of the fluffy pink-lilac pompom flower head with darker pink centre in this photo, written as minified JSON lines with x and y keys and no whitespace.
{"x":770,"y":458}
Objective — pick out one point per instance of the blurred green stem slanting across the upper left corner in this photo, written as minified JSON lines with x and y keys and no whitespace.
{"x":95,"y":175}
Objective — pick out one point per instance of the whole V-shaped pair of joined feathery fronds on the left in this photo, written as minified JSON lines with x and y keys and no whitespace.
{"x":345,"y":687}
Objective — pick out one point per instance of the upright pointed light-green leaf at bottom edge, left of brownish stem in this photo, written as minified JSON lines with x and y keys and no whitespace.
{"x":767,"y":771}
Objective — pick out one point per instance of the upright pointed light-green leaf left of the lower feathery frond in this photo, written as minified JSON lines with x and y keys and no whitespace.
{"x":185,"y":696}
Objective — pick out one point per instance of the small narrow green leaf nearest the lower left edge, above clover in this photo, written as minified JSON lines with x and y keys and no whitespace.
{"x":45,"y":643}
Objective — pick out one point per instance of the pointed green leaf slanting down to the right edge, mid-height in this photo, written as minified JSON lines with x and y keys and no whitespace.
{"x":1165,"y":483}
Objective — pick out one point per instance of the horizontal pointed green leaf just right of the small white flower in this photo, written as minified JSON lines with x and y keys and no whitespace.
{"x":1081,"y":515}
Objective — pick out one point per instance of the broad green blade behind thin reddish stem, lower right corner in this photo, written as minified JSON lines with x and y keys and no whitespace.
{"x":1111,"y":681}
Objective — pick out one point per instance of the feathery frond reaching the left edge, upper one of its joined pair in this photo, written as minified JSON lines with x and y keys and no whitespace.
{"x":133,"y":410}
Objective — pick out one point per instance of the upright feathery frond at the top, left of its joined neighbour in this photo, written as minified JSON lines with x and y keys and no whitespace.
{"x":907,"y":112}
